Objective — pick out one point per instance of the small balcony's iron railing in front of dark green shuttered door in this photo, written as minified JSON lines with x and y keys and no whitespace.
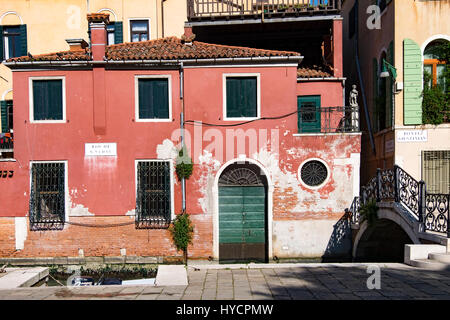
{"x":313,"y":119}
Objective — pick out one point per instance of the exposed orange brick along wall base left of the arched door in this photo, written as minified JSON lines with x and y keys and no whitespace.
{"x":104,"y":241}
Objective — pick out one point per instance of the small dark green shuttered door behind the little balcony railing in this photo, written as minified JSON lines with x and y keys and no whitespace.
{"x":309,"y":119}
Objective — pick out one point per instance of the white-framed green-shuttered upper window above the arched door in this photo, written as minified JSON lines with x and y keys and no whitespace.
{"x":241,"y":96}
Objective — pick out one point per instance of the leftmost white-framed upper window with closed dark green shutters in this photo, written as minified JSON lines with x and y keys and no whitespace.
{"x":47,"y":99}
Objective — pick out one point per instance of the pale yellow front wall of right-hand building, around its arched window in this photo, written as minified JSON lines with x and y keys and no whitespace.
{"x":420,"y":21}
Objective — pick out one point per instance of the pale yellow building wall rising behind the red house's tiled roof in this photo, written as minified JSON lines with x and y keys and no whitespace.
{"x":50,"y":22}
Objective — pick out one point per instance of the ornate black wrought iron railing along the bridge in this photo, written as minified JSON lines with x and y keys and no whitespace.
{"x":396,"y":185}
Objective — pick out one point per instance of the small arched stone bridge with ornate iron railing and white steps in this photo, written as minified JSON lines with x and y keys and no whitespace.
{"x":411,"y":225}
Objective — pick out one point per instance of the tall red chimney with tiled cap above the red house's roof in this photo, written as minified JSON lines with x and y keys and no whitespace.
{"x":97,"y":25}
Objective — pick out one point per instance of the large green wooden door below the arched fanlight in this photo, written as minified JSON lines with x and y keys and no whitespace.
{"x":242,"y":223}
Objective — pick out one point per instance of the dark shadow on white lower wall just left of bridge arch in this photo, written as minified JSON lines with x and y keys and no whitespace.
{"x":339,"y":248}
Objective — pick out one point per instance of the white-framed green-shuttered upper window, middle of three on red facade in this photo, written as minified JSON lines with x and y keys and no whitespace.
{"x":153,"y":98}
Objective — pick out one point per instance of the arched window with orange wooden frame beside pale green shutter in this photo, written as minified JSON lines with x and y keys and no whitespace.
{"x":435,"y":64}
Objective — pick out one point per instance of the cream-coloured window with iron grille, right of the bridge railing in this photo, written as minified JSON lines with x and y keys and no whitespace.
{"x":436,"y":171}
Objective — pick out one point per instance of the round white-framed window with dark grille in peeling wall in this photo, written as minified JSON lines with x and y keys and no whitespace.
{"x":313,"y":173}
